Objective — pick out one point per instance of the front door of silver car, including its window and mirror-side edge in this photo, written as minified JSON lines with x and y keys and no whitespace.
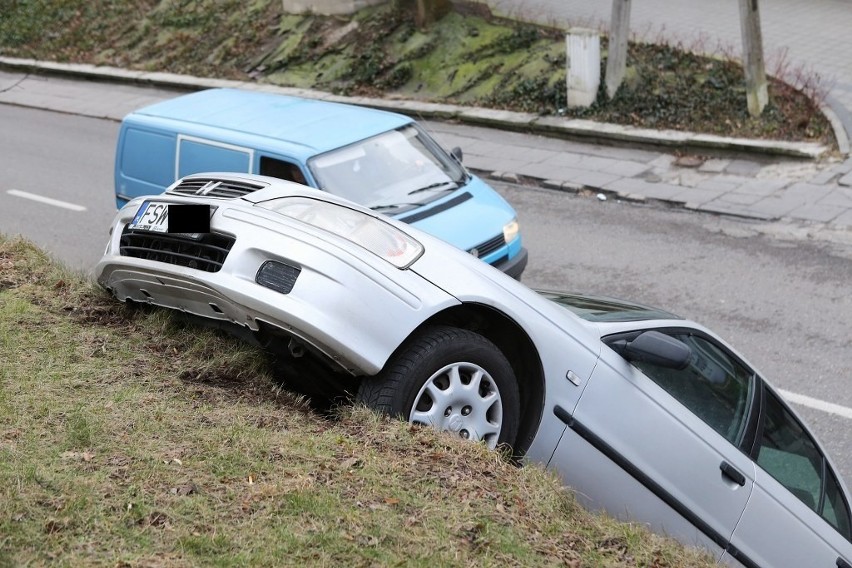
{"x":658,"y":445}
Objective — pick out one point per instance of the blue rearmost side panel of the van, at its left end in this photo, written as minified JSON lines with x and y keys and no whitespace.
{"x":145,"y":162}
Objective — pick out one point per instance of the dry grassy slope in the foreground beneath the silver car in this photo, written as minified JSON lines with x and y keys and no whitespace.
{"x":127,"y":438}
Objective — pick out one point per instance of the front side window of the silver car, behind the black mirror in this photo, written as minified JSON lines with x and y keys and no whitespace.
{"x":714,"y":386}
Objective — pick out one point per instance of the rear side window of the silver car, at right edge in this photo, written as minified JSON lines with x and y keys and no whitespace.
{"x":787,"y":453}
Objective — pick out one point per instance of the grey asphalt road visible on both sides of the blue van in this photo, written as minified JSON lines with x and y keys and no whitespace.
{"x":784,"y":302}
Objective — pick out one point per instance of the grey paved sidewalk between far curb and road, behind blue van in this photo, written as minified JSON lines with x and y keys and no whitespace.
{"x":813,"y":195}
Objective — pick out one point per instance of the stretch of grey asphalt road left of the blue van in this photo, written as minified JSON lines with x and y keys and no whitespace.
{"x":65,"y":158}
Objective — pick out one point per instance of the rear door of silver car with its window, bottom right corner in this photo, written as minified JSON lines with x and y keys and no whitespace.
{"x":798,"y":514}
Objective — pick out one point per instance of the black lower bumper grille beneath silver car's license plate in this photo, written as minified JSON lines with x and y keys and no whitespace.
{"x":206,"y":251}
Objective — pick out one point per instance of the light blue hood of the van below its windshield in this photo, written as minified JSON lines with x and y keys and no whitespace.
{"x":466,"y":218}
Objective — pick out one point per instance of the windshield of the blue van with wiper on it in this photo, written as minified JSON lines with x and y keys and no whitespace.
{"x":397,"y":169}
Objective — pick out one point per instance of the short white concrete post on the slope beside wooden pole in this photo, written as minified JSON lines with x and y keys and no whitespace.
{"x":583,"y":66}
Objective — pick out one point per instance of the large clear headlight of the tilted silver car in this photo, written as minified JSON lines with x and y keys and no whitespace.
{"x":372,"y":234}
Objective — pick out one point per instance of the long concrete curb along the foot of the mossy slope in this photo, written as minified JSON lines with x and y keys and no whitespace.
{"x":587,"y":130}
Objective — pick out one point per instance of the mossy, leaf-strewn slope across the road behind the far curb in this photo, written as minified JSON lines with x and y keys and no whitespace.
{"x":463,"y":58}
